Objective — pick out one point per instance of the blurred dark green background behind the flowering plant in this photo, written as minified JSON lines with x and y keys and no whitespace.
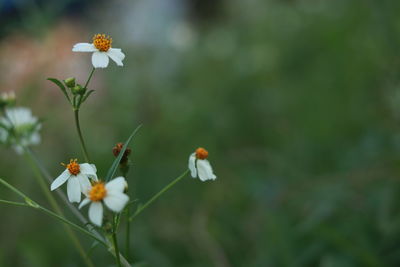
{"x":297,"y":101}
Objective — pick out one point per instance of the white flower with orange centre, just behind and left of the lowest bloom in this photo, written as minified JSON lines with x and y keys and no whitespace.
{"x":77,"y":176}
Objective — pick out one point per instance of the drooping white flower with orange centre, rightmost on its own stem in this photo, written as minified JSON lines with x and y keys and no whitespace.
{"x":199,"y":166}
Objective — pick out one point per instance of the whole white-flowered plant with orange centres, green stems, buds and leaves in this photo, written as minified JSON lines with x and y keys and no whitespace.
{"x":106,"y":196}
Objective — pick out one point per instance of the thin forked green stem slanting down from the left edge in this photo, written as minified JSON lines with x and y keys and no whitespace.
{"x":33,"y":204}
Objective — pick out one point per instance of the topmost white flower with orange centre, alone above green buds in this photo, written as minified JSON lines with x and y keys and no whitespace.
{"x":101,"y":48}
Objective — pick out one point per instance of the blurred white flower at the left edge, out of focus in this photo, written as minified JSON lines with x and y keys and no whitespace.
{"x":19,"y":128}
